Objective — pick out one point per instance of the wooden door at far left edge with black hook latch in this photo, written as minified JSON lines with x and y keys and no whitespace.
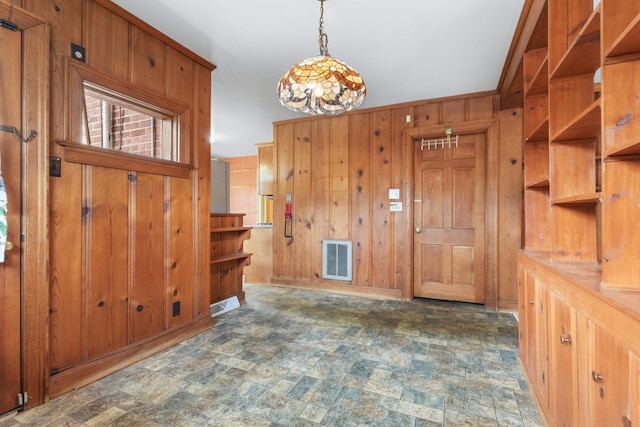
{"x":10,"y":285}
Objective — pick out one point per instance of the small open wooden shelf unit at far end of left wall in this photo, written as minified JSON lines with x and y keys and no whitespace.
{"x":227,"y":256}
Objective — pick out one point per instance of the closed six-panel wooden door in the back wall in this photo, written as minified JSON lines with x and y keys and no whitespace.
{"x":449,"y":220}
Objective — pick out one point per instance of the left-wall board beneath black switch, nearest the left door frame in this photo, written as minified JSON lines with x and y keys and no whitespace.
{"x":65,"y":320}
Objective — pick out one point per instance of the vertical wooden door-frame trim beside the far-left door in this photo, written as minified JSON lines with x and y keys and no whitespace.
{"x":35,"y":255}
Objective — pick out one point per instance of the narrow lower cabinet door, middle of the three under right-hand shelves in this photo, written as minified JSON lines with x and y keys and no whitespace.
{"x":563,"y":382}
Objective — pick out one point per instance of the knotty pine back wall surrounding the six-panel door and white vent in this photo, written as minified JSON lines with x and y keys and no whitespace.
{"x":338,"y":171}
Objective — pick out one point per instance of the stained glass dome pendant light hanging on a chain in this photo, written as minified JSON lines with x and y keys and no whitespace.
{"x":321,"y":84}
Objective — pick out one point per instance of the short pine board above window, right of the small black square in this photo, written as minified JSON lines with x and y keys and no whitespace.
{"x":106,"y":37}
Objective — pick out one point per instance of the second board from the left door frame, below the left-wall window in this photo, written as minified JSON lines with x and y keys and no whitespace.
{"x":105,"y":247}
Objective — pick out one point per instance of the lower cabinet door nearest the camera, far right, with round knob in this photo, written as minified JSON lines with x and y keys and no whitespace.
{"x":610,"y":385}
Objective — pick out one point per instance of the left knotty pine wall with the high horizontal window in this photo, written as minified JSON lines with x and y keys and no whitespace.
{"x":129,"y":262}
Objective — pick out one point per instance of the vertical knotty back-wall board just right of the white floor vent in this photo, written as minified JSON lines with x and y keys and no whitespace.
{"x":361,"y":196}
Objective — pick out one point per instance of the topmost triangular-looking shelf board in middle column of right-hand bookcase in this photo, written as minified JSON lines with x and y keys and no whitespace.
{"x":583,"y":56}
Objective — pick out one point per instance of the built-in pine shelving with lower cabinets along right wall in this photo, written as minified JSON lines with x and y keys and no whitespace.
{"x":582,"y":210}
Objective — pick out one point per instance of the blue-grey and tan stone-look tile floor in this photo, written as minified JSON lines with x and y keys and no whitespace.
{"x":303,"y":358}
